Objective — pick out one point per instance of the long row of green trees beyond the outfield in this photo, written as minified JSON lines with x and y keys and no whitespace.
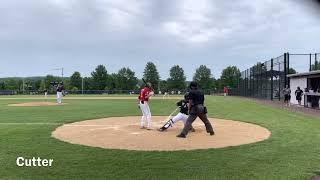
{"x":125,"y":79}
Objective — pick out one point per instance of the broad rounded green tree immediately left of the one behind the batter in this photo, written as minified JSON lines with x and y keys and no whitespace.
{"x":125,"y":79}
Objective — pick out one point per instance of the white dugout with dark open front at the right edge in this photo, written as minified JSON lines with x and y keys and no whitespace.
{"x":309,"y":82}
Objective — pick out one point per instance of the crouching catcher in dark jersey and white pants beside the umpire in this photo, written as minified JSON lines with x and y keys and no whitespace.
{"x":181,"y":116}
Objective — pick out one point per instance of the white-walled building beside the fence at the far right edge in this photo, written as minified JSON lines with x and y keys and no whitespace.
{"x":310,"y":80}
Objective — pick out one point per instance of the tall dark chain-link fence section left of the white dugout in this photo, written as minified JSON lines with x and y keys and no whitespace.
{"x":265,"y":80}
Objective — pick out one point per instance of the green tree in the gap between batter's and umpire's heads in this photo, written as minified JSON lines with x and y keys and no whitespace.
{"x":177,"y":80}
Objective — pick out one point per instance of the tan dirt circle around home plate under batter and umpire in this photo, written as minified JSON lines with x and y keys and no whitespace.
{"x":125,"y":133}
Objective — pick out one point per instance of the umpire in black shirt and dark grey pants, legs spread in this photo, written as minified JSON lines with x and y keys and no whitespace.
{"x":196,"y":109}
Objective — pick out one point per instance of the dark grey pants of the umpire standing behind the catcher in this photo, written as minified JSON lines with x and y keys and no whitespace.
{"x":197,"y":111}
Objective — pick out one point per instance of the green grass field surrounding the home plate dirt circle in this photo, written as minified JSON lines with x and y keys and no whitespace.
{"x":292,"y":152}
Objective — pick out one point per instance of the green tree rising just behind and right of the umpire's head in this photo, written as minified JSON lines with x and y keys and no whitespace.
{"x":204,"y":78}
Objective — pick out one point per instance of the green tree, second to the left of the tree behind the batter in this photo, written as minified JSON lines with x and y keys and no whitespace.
{"x":100,"y":77}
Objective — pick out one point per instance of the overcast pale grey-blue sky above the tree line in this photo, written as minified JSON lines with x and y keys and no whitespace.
{"x":37,"y":36}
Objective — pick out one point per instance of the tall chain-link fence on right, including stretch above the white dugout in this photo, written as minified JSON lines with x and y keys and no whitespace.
{"x":267,"y":80}
